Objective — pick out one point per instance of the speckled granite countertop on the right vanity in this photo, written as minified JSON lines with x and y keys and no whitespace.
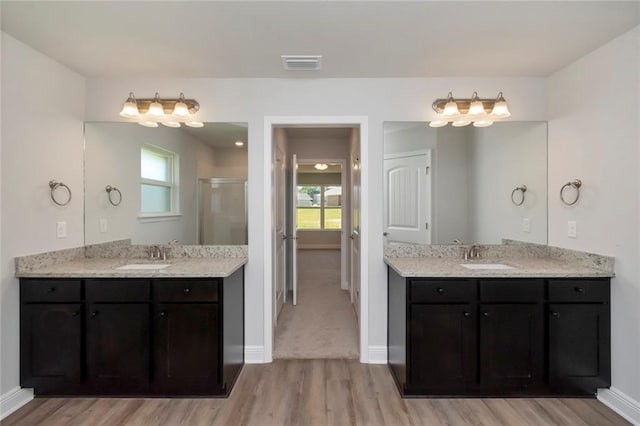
{"x":523,"y":268}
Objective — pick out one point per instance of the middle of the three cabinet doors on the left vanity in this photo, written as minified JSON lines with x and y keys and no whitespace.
{"x":118,"y":341}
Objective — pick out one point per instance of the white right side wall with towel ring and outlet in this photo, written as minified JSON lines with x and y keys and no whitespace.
{"x":594,"y":136}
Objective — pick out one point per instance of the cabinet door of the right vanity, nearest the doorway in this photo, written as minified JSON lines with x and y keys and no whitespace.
{"x":442,"y":347}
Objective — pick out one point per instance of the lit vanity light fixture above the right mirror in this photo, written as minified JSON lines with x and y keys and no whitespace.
{"x":462,"y":112}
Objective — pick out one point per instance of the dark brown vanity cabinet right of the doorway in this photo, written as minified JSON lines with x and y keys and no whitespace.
{"x":500,"y":337}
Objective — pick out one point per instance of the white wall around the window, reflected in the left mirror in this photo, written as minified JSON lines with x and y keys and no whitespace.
{"x":112,"y":157}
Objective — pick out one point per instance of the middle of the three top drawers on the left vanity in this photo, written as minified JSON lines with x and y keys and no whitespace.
{"x":118,"y":290}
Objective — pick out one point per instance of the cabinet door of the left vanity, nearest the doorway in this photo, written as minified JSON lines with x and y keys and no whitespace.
{"x":187,"y":349}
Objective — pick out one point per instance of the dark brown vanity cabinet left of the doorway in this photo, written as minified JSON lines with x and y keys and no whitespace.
{"x":159,"y":337}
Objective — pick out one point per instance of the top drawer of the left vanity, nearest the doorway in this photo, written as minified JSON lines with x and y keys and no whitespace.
{"x":185,"y":290}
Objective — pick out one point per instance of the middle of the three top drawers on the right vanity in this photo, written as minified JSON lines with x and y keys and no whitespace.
{"x":512,"y":290}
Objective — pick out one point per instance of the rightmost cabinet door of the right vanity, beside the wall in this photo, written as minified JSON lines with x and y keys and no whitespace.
{"x":579,"y":342}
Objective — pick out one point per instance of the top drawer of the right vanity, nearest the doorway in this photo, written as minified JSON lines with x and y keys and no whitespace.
{"x":442,"y":291}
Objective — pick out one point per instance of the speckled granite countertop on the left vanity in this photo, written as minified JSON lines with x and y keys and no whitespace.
{"x":106,"y":268}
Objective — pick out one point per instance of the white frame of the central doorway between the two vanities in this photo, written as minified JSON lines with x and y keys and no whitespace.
{"x":314,"y":121}
